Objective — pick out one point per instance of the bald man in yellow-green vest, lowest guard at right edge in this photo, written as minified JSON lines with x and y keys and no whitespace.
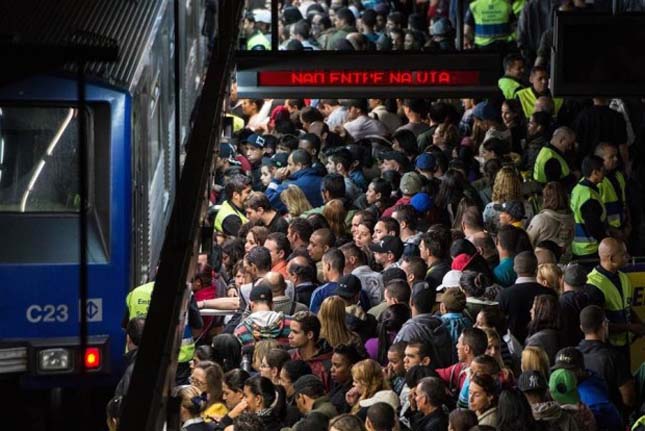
{"x":611,"y":289}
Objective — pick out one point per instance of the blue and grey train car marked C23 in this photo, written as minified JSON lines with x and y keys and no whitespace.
{"x":132,"y":111}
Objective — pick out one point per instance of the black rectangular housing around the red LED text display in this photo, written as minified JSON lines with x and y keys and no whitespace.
{"x":250,"y":64}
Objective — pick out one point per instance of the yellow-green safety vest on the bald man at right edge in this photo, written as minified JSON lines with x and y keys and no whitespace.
{"x":617,"y":303}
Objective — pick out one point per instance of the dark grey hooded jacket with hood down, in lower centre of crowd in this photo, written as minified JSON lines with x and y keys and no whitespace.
{"x":426,"y":328}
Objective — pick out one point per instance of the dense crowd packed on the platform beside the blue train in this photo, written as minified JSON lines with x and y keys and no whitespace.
{"x":413,"y":264}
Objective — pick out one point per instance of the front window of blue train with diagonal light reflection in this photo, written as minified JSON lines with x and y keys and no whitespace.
{"x":39,"y":159}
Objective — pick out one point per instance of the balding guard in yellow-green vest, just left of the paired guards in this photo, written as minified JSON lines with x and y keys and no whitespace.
{"x":550,"y":164}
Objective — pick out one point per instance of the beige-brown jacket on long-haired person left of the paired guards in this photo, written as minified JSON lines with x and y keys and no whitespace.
{"x":556,"y":226}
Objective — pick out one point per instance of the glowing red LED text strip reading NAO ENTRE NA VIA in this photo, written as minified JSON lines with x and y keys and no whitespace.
{"x":368,"y":78}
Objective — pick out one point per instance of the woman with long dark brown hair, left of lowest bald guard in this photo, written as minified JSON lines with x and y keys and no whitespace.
{"x":544,"y":325}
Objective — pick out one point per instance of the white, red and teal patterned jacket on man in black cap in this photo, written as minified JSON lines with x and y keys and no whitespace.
{"x":264,"y":325}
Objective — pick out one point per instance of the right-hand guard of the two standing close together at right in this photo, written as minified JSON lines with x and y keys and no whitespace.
{"x":612,"y":191}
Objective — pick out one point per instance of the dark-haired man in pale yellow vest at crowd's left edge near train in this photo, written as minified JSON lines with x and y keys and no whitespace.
{"x":230,"y":216}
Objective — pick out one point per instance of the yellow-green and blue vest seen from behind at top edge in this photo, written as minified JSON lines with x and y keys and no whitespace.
{"x":492,"y":20}
